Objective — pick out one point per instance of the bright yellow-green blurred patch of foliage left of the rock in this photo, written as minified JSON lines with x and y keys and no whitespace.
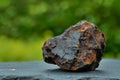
{"x":19,"y":50}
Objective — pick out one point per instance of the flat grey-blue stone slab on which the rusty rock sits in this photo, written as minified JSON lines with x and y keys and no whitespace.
{"x":108,"y":70}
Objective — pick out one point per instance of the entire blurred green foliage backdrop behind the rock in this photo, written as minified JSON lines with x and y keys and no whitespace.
{"x":26,"y":24}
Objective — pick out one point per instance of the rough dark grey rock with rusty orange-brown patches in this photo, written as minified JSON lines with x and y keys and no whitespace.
{"x":79,"y":48}
